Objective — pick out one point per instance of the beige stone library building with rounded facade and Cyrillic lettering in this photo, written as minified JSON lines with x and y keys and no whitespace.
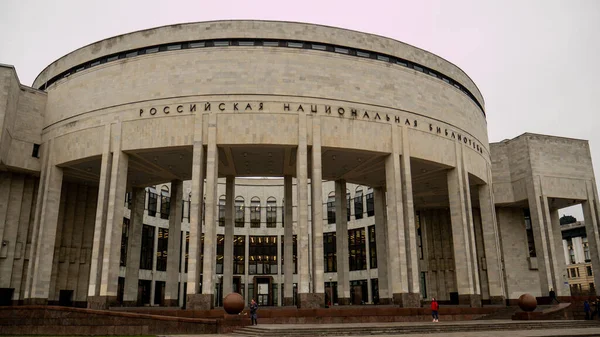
{"x":122,"y":142}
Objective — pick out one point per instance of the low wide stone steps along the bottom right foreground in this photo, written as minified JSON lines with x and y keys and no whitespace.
{"x":407,"y":328}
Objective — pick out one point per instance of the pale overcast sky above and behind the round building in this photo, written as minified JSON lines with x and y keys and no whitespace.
{"x":537,"y":63}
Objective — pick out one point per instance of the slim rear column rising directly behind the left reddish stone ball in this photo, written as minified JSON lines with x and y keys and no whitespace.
{"x":228,"y":243}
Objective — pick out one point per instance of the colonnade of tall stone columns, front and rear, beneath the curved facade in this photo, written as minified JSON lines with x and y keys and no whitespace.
{"x":398,"y":265}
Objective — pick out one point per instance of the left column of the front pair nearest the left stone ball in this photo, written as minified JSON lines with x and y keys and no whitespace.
{"x":194,"y":263}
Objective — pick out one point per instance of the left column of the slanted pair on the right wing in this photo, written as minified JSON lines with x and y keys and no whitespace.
{"x":539,"y":235}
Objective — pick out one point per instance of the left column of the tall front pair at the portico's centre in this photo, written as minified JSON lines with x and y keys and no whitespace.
{"x":305,"y":299}
